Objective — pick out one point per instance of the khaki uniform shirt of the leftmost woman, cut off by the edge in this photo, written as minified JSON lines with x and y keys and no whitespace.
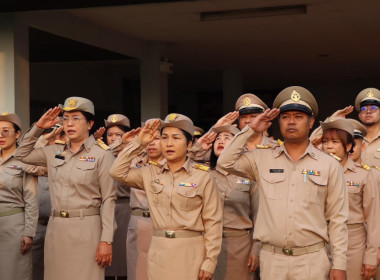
{"x":18,"y":189}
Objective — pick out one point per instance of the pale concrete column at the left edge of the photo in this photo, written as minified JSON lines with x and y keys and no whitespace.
{"x":14,"y":68}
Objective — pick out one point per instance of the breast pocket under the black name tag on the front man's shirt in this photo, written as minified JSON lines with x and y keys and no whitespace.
{"x":273,"y":185}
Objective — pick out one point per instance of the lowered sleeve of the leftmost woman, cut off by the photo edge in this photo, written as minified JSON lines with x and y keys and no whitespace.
{"x":30,"y":196}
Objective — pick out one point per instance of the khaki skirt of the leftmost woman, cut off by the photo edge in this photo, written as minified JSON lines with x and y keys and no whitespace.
{"x":13,"y":265}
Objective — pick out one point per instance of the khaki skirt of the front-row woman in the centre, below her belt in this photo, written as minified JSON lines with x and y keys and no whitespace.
{"x":177,"y":258}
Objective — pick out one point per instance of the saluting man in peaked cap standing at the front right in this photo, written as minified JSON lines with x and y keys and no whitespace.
{"x":302,"y":196}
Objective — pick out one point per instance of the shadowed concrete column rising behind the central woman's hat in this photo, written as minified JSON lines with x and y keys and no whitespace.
{"x":154,"y":84}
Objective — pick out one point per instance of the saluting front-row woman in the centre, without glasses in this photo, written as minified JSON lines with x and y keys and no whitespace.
{"x":183,"y":203}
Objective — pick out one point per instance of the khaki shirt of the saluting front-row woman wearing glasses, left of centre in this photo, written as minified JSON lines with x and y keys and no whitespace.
{"x":78,"y":181}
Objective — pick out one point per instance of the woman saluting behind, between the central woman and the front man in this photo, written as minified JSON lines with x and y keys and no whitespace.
{"x":240,"y":204}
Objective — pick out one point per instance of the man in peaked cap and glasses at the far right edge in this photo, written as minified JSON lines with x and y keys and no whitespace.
{"x":367,"y":104}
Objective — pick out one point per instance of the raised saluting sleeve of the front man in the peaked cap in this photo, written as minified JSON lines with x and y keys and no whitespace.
{"x":234,"y":161}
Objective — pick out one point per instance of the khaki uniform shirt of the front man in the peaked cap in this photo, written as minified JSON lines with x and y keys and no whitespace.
{"x":296,"y":209}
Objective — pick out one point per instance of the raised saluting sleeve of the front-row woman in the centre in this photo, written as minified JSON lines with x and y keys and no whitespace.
{"x":121,"y":169}
